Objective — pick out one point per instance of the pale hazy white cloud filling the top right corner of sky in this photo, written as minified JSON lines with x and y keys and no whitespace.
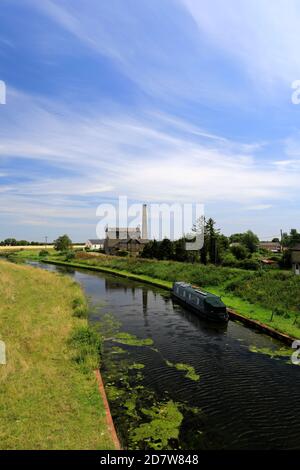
{"x":261,"y":36}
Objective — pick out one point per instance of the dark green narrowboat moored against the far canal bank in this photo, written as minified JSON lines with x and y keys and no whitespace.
{"x":206,"y":305}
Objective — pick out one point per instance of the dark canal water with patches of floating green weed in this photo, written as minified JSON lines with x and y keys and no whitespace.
{"x":236,"y":389}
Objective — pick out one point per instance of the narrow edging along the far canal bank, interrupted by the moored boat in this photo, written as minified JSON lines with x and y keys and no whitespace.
{"x":235,"y":316}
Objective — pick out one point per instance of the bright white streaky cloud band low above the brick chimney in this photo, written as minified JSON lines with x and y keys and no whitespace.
{"x":147,"y":157}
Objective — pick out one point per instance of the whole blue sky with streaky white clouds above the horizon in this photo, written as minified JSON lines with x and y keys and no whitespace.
{"x":161,"y":101}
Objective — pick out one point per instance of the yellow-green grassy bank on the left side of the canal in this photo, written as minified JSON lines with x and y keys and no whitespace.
{"x":48,"y":394}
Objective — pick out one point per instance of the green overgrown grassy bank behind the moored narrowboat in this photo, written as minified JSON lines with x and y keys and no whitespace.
{"x":271,"y":297}
